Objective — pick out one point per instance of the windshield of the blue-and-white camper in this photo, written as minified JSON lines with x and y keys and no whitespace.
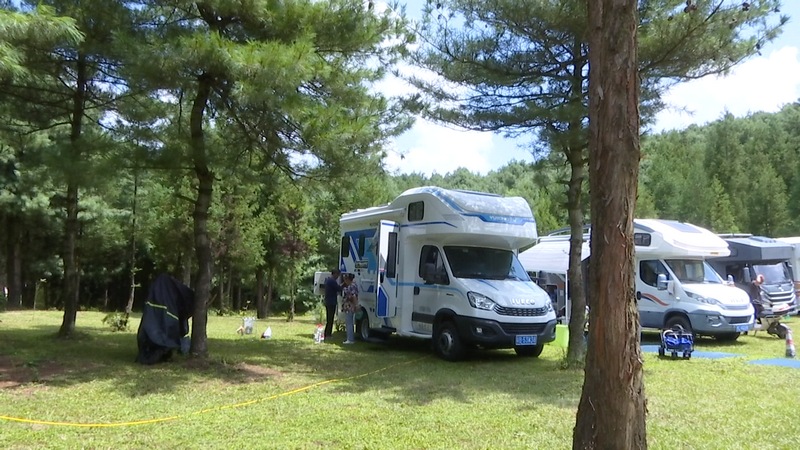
{"x":484,"y":263}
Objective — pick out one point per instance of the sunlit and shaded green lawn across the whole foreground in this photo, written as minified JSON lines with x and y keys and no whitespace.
{"x":288,"y":392}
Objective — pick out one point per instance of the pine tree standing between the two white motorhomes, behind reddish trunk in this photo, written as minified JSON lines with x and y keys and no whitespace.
{"x":521,"y":67}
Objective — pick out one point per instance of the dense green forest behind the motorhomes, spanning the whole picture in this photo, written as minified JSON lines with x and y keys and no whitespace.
{"x":103,"y":139}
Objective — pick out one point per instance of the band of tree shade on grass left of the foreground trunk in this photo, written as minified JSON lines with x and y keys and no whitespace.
{"x":403,"y":369}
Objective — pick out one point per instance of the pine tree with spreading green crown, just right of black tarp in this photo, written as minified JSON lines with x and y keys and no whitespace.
{"x":284,"y":81}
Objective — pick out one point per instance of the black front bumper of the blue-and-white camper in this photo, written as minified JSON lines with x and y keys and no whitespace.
{"x":493,"y":334}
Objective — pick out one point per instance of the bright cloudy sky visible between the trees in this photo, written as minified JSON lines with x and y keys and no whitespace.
{"x":762,"y":83}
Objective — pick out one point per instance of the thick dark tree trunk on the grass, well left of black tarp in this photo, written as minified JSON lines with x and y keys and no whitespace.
{"x":71,"y":225}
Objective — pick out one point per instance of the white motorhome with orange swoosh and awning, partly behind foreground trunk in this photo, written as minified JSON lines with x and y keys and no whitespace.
{"x":675,"y":285}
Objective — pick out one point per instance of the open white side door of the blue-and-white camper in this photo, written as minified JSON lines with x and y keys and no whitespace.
{"x":387,"y":269}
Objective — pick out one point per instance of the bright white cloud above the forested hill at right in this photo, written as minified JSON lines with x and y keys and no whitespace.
{"x":764,"y":83}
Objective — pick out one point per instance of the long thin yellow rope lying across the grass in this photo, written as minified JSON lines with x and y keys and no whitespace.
{"x":203,"y":411}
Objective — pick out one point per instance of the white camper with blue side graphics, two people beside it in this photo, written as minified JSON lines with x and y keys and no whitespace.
{"x":442,"y":264}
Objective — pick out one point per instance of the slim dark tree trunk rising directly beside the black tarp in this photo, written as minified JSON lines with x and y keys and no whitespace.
{"x":202,"y":243}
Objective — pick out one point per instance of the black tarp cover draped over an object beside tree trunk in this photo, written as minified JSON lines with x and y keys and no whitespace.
{"x":165,"y":319}
